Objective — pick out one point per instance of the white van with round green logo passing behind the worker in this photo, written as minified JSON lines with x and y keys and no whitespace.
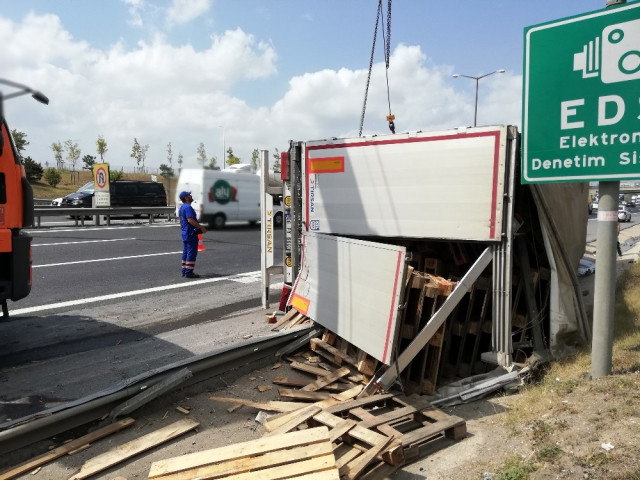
{"x":221,"y":196}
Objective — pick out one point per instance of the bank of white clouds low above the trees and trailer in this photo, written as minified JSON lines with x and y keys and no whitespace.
{"x":158,"y":93}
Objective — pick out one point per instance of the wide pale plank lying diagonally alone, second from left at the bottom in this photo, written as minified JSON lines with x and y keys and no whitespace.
{"x":134,"y":447}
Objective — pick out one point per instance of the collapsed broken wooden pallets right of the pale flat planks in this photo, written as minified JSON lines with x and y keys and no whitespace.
{"x":383,"y":428}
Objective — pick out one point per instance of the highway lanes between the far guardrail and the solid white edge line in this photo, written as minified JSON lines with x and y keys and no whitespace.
{"x":79,"y":263}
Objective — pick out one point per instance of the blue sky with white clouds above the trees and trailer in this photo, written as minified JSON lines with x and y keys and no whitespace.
{"x":256,"y":73}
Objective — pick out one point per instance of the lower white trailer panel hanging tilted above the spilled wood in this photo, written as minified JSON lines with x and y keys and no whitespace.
{"x":352,"y":287}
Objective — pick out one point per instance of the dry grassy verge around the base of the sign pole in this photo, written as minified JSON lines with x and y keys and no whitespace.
{"x":559,"y":388}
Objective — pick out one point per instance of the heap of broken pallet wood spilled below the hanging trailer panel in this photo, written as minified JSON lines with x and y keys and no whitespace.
{"x":370,"y":436}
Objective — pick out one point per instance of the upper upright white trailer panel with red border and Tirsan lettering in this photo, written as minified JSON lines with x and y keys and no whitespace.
{"x":446,"y":185}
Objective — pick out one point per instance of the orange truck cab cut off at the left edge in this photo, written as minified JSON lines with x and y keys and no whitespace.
{"x":16,"y":212}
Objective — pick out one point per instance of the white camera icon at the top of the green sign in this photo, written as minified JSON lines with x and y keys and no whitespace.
{"x":615,"y":55}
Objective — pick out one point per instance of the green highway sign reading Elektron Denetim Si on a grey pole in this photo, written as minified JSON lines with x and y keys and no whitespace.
{"x":581,"y":98}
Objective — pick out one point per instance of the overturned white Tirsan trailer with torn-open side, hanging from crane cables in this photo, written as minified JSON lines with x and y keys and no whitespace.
{"x":359,"y":212}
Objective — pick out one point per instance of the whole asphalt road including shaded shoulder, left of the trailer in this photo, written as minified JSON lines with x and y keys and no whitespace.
{"x":109,"y":303}
